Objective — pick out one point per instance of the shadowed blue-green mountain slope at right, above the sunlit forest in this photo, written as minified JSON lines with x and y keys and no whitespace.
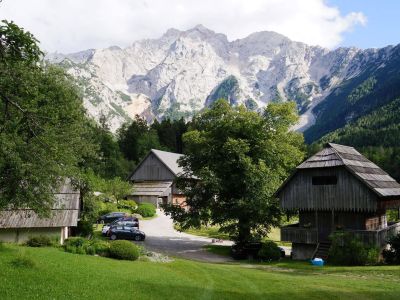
{"x":373,"y":88}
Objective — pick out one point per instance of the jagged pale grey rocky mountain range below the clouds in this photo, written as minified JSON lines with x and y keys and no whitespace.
{"x":181,"y":72}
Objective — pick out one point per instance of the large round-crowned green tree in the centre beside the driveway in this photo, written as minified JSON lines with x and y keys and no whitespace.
{"x":234,"y":161}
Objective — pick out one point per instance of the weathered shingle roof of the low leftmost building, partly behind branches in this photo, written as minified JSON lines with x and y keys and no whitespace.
{"x":65,"y":212}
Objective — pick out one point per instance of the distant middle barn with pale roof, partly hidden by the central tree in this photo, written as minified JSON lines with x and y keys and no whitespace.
{"x":153,"y":179}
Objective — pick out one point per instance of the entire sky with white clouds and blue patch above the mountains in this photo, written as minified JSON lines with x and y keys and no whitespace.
{"x":72,"y":25}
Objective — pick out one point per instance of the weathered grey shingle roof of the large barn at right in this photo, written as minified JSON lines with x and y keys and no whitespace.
{"x":366,"y":171}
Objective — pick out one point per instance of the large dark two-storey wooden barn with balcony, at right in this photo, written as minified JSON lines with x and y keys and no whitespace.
{"x":338,"y":189}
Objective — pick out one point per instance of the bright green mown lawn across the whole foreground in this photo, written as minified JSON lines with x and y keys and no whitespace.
{"x":60,"y":275}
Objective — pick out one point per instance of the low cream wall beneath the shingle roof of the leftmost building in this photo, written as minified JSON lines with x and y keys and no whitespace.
{"x":21,"y":235}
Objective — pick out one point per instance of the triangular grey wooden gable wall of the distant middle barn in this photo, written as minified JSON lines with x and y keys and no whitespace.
{"x":152,"y":169}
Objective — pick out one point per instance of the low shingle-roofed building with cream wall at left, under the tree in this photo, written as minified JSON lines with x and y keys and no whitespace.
{"x":17,"y":225}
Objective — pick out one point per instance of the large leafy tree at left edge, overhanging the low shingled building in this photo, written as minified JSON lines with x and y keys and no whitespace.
{"x":43,"y":135}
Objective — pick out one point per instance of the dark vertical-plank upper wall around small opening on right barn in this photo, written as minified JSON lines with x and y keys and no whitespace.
{"x":348,"y":194}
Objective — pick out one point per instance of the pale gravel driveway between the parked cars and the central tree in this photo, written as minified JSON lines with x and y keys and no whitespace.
{"x":162,"y":237}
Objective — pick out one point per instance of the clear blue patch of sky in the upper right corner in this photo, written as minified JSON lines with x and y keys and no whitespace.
{"x":383,"y":22}
